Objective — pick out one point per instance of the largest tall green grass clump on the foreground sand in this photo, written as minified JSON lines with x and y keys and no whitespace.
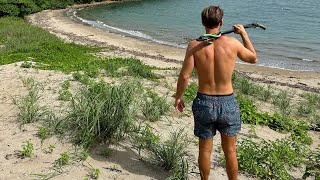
{"x":101,"y":112}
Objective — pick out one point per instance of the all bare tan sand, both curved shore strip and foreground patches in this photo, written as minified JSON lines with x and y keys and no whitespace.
{"x":124,"y":162}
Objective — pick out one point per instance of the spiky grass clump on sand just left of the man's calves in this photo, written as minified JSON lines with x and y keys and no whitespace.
{"x":170,"y":153}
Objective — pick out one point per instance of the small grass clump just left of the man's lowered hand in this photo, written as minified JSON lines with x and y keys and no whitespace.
{"x":154,"y":106}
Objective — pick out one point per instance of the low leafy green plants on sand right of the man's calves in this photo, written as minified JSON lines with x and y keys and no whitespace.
{"x":270,"y":160}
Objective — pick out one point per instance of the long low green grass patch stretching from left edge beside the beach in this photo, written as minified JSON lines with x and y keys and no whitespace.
{"x":21,"y":41}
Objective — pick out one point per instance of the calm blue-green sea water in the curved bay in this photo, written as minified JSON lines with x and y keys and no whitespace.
{"x":291,"y":41}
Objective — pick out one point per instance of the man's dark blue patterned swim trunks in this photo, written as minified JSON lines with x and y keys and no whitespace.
{"x":215,"y":112}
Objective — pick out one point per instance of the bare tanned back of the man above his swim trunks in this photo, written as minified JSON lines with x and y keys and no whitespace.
{"x":215,"y":63}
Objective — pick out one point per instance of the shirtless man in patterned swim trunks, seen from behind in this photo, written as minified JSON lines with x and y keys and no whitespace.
{"x":215,"y":107}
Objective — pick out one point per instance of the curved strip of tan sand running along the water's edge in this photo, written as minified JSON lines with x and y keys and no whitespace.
{"x":152,"y":53}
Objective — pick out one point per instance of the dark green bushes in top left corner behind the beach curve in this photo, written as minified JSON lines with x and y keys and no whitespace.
{"x":25,"y":7}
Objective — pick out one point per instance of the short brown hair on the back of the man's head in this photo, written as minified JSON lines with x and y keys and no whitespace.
{"x":212,"y":16}
